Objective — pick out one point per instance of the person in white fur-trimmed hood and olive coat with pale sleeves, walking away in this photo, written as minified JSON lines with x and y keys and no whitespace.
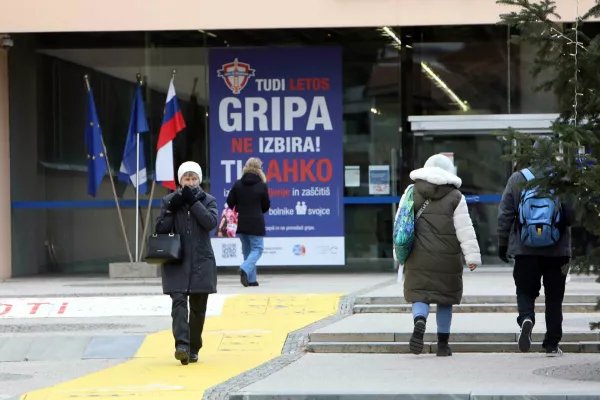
{"x":432,"y":233}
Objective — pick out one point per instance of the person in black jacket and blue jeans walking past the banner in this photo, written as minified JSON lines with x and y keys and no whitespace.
{"x":250,"y":197}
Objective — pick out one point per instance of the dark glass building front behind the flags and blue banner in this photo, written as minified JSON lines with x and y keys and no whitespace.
{"x":389,"y":74}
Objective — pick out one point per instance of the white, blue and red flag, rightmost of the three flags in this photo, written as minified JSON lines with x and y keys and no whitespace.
{"x":173,"y":123}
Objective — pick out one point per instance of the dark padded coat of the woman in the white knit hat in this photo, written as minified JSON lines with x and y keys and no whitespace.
{"x":197,"y":273}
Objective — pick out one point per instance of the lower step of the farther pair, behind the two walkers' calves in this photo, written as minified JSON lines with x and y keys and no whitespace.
{"x":471,"y":308}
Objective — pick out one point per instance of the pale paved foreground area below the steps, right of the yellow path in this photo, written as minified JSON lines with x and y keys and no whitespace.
{"x":464,"y":376}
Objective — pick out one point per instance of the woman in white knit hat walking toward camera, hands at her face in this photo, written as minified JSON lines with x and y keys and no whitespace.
{"x":191,"y":213}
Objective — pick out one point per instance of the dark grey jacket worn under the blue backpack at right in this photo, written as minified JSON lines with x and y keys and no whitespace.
{"x":508,"y":215}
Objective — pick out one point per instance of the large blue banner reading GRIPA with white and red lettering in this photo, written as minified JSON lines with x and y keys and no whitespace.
{"x":283,"y":105}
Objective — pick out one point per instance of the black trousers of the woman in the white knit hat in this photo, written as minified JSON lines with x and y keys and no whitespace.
{"x":188,"y":334}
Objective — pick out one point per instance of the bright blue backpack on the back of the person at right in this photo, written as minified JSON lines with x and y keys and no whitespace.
{"x":539,"y":216}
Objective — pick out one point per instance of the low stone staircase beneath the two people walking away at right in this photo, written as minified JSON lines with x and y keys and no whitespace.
{"x":382,"y":323}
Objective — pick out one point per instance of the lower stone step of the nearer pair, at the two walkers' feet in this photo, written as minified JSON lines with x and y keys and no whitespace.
{"x":431,"y":347}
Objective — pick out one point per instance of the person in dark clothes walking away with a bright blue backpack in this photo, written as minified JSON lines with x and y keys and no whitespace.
{"x":534,"y":228}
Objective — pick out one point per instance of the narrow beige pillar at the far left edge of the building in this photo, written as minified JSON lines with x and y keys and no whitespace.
{"x":5,"y":207}
